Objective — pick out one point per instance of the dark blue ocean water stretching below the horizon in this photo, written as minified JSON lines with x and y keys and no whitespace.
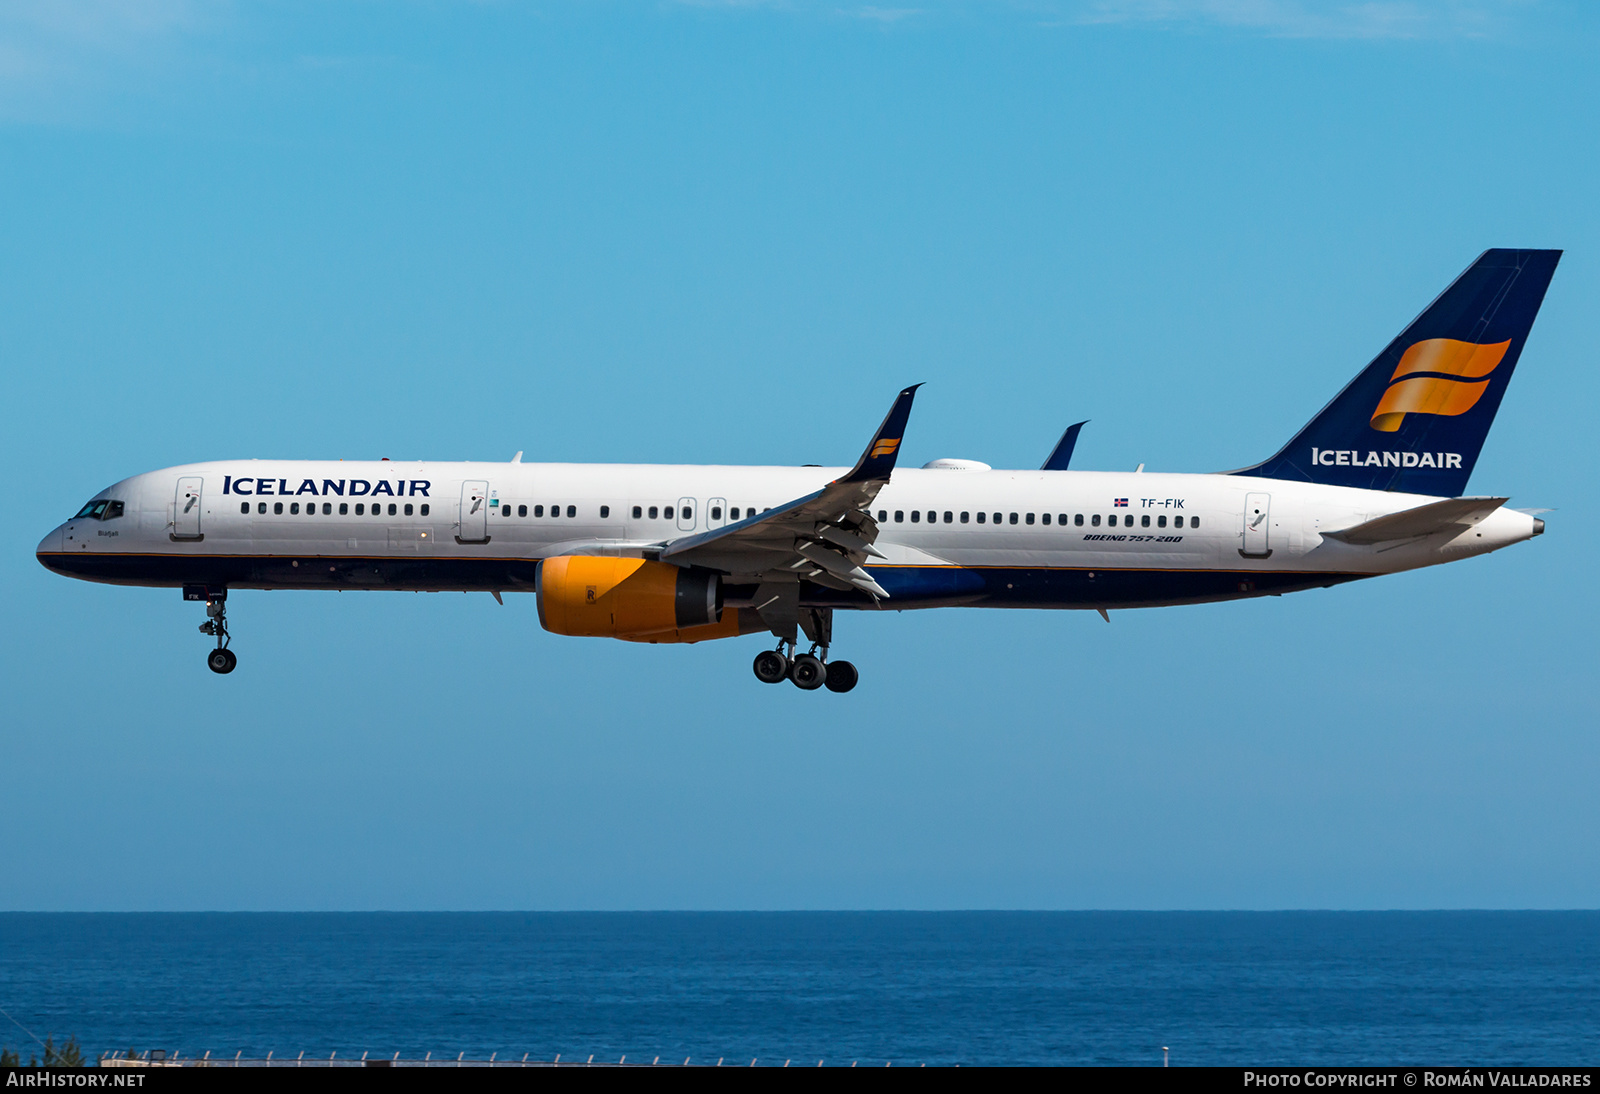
{"x":943,"y":988}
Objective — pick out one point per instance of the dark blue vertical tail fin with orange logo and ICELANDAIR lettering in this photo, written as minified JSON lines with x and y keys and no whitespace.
{"x":1415,"y":420}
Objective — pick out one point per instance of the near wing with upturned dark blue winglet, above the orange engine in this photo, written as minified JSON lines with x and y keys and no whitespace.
{"x":825,"y":537}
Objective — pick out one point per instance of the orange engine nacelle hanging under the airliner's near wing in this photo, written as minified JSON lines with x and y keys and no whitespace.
{"x":631,"y":599}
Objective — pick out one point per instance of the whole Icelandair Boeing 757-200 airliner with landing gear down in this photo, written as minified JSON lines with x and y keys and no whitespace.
{"x":682,"y":554}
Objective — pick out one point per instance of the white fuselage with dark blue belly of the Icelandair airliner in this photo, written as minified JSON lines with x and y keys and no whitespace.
{"x":998,"y":538}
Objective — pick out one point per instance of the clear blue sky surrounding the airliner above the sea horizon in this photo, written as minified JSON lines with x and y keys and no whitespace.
{"x":730,"y":233}
